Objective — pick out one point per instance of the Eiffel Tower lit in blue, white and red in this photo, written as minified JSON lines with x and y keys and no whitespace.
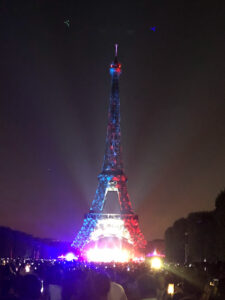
{"x":112,"y":178}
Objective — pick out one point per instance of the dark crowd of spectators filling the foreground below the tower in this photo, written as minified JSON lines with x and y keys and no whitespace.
{"x":25,"y":279}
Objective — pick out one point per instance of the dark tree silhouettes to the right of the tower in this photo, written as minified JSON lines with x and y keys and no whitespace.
{"x":200,"y":236}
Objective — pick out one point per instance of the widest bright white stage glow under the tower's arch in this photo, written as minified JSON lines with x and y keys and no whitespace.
{"x":108,"y":255}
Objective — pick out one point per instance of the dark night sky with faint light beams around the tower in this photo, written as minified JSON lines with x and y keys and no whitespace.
{"x":55,"y":85}
